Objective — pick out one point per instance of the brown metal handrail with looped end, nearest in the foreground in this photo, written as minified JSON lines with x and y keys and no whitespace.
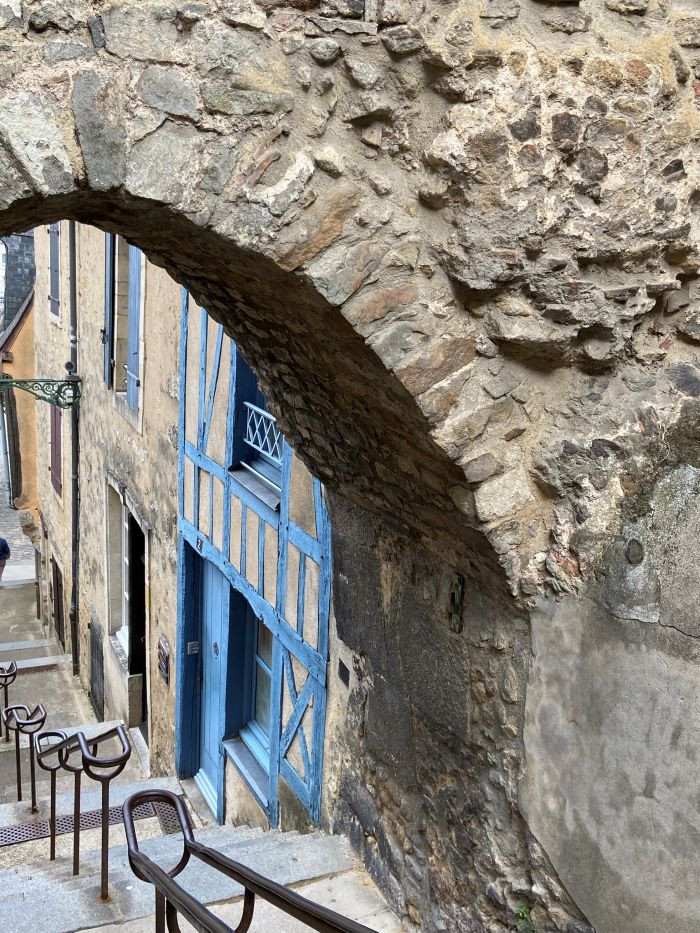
{"x":178,"y":900}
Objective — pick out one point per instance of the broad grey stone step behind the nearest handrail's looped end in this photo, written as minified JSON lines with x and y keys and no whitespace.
{"x":45,"y":902}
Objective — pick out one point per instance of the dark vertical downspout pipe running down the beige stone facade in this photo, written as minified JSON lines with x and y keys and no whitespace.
{"x":72,"y":368}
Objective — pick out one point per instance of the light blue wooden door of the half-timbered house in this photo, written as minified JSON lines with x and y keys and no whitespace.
{"x":213,"y":632}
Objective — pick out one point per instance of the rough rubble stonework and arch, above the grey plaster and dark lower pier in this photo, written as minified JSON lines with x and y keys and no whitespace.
{"x":431,"y":225}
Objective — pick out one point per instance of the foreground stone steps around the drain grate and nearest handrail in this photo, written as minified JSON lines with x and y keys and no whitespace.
{"x":39,"y":896}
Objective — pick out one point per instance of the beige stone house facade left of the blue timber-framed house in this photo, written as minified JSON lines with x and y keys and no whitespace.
{"x":127,"y":474}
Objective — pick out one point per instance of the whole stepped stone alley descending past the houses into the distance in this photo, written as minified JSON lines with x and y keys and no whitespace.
{"x":45,"y":896}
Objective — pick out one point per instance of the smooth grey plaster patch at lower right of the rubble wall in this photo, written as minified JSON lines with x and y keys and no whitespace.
{"x":610,"y":671}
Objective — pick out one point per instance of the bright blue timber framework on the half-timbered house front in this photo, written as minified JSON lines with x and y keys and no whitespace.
{"x":288,"y":640}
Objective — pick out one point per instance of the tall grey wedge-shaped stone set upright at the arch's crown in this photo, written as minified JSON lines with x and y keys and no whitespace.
{"x":97,"y":105}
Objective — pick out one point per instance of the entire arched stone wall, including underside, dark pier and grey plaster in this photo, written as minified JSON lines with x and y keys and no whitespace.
{"x":461,"y":242}
